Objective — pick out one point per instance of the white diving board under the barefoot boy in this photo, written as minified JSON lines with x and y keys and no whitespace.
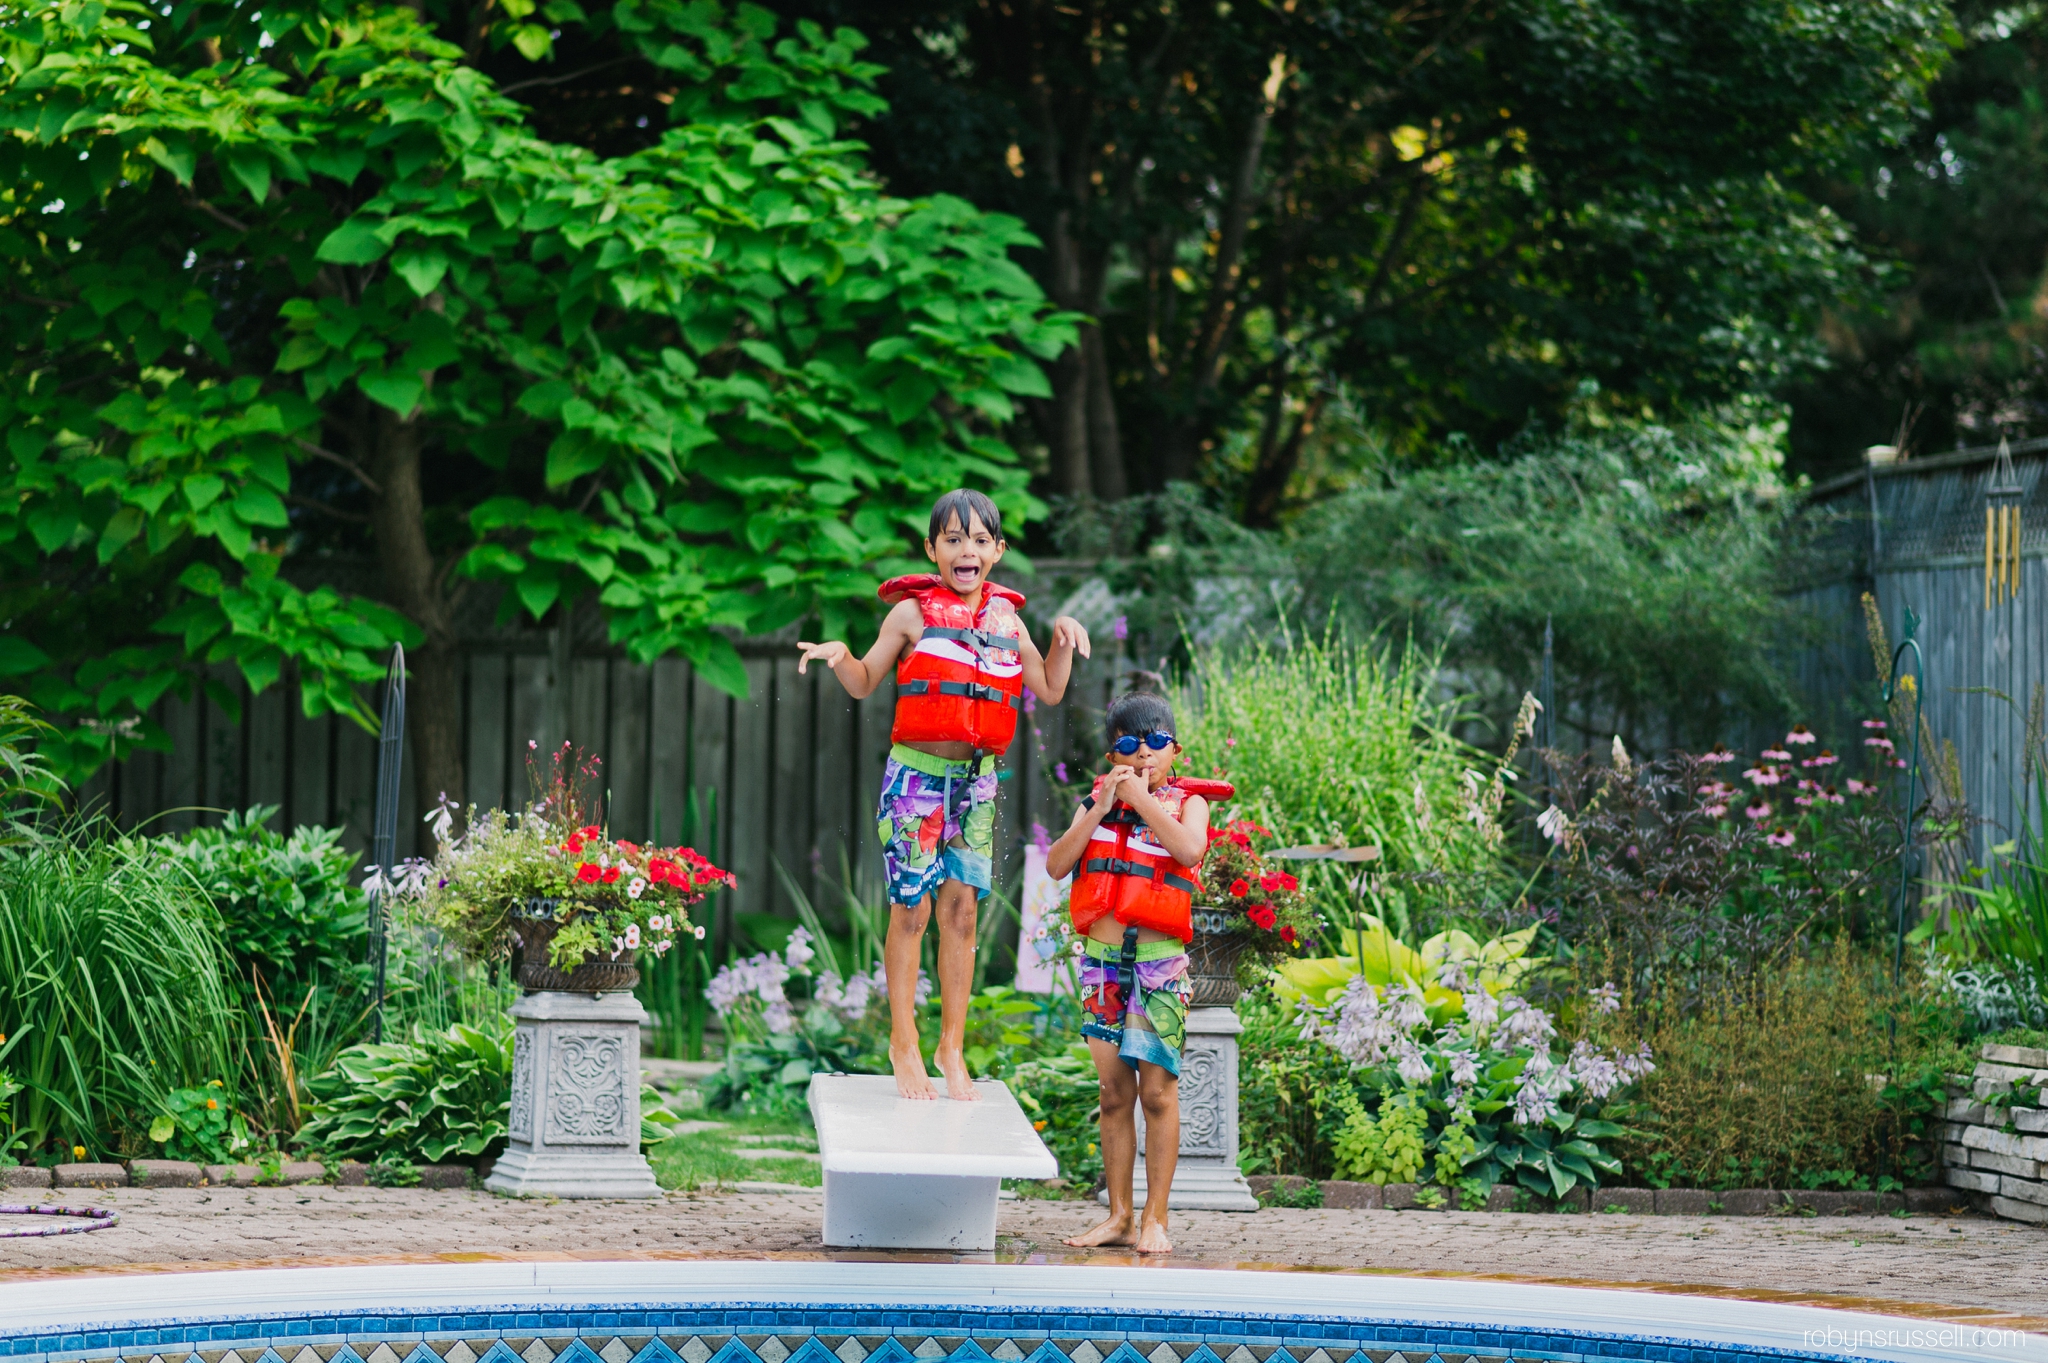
{"x":906,"y":1174}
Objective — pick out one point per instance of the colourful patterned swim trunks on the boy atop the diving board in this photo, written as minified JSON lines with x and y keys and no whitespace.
{"x":937,"y":822}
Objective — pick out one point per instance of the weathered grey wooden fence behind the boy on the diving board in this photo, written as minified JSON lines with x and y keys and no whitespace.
{"x":790,"y":775}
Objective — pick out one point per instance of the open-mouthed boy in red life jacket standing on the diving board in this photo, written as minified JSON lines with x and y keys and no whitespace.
{"x":962,"y":660}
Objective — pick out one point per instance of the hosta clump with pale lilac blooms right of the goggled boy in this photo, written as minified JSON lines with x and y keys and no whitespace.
{"x":1474,"y":1096}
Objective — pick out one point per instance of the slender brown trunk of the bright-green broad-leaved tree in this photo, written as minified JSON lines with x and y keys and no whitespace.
{"x":413,"y":584}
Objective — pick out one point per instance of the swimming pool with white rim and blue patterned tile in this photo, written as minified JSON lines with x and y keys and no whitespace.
{"x":916,"y":1313}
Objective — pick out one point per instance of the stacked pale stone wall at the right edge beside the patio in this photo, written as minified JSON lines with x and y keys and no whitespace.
{"x":1998,"y":1135}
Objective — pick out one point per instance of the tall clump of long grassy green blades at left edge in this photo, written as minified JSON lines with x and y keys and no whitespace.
{"x":114,"y":992}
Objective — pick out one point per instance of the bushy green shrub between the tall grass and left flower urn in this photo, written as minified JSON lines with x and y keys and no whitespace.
{"x":286,"y":904}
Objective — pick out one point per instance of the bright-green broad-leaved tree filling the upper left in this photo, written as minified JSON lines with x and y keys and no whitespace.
{"x":308,"y":279}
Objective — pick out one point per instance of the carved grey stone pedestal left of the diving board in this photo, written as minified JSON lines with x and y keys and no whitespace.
{"x":574,"y":1129}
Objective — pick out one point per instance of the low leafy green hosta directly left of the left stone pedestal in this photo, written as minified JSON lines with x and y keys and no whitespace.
{"x":435,"y":1098}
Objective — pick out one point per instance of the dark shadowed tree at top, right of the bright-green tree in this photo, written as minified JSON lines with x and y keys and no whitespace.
{"x":1449,"y":214}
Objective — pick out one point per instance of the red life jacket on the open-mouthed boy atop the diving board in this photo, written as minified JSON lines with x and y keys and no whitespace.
{"x":966,"y":678}
